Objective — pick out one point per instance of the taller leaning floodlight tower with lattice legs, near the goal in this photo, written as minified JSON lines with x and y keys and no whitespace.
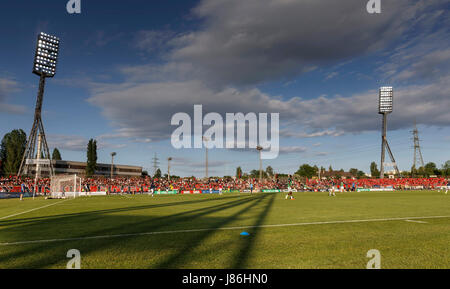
{"x":45,"y":59}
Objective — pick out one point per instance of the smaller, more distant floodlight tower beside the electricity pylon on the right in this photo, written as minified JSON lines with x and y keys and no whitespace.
{"x":385,"y":107}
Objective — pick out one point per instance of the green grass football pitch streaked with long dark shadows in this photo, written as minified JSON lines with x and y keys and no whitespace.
{"x":199,"y":231}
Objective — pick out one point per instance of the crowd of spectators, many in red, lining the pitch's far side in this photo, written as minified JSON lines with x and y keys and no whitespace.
{"x":144,"y":184}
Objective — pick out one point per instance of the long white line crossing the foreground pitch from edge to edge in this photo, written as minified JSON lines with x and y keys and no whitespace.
{"x":217,"y":229}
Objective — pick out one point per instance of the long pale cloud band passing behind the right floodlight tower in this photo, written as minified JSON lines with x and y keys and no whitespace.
{"x":144,"y":111}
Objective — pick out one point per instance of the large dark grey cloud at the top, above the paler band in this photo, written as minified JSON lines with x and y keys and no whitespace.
{"x":247,"y":42}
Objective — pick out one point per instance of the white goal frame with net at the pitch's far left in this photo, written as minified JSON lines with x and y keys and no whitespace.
{"x":65,"y":186}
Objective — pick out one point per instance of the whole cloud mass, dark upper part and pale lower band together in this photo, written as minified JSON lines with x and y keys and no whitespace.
{"x":244,"y":42}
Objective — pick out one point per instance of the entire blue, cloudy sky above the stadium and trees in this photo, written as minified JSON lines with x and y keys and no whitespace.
{"x":126,"y":67}
